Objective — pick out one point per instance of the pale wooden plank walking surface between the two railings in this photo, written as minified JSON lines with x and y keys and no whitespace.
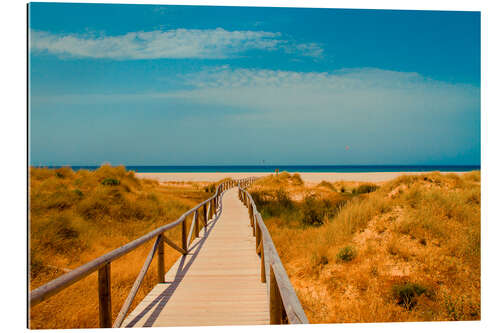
{"x":217,"y":283}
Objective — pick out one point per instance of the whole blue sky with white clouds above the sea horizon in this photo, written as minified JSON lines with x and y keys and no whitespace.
{"x":192,"y":85}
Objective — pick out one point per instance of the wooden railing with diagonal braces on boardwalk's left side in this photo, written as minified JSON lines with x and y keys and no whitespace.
{"x":102,"y":264}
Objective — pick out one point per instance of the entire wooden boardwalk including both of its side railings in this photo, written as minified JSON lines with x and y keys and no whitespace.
{"x":229,"y":272}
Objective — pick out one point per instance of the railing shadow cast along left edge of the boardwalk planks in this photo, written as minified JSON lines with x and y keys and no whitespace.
{"x":161,"y":300}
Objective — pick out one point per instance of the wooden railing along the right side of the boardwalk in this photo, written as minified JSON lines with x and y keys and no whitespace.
{"x":284,"y":306}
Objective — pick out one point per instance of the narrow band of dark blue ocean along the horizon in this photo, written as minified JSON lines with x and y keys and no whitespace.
{"x":290,"y":168}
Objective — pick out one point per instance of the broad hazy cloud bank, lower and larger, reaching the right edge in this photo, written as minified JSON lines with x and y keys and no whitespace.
{"x":347,"y":91}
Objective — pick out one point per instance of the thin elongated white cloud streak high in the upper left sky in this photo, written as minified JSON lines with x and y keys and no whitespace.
{"x":179,"y":43}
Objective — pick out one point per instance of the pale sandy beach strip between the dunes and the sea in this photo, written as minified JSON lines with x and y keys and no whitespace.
{"x":311,"y":177}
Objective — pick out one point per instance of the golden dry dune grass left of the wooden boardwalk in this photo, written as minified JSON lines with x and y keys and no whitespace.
{"x":75,"y":218}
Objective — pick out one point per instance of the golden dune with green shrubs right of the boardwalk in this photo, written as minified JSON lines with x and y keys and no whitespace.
{"x":404,"y":250}
